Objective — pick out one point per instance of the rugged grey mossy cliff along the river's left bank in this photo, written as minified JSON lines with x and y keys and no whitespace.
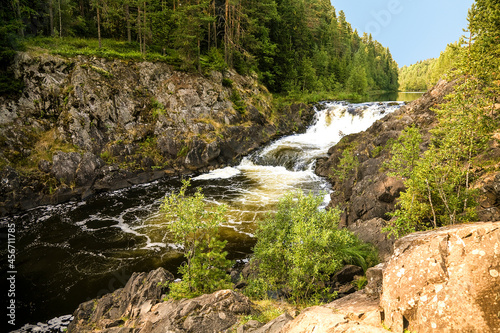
{"x":85,"y":125}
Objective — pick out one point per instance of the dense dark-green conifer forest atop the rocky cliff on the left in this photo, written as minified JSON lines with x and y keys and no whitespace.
{"x":293,"y":45}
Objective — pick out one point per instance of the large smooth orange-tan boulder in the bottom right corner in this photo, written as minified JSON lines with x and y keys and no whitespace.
{"x":446,"y":280}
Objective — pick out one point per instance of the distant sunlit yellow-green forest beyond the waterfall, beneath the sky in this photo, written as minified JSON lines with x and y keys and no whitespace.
{"x":426,"y":73}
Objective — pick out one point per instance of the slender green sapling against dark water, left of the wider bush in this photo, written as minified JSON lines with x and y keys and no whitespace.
{"x":194,"y":225}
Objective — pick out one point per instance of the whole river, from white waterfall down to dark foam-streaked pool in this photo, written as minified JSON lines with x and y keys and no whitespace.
{"x":73,"y":252}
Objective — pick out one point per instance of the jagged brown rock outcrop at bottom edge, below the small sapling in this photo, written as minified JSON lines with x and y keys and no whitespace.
{"x":139,"y":307}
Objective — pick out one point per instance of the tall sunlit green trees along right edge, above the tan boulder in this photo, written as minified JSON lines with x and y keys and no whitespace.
{"x":439,"y":188}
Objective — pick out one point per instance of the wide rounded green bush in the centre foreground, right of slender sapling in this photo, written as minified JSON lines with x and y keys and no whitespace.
{"x":300,"y":247}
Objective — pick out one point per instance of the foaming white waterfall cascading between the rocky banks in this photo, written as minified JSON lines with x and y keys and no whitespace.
{"x":288,"y":163}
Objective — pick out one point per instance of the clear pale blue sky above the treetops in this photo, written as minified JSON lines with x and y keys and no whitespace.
{"x":412,"y":29}
